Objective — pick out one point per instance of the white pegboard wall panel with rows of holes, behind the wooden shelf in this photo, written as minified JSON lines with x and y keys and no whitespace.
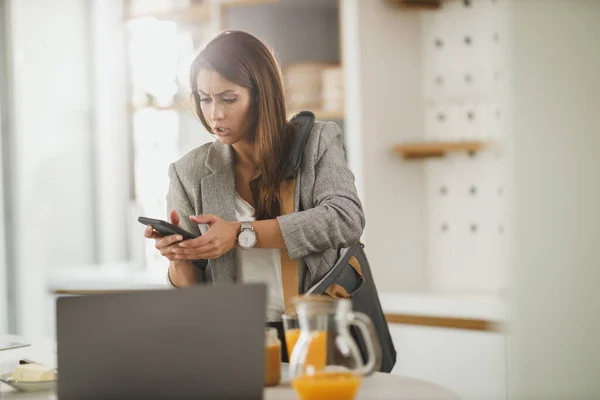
{"x":466,"y":195}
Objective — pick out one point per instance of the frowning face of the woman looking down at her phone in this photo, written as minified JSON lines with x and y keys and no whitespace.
{"x":225,"y":106}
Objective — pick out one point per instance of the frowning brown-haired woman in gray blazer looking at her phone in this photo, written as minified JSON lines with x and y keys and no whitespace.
{"x":234,"y":189}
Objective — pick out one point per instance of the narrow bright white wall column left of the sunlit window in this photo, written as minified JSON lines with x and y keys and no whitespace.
{"x":111,"y":136}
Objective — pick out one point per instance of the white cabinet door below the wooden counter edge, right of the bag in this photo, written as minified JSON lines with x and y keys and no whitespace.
{"x":470,"y":363}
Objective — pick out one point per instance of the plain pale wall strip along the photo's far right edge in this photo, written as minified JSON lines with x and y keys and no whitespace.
{"x":556,"y":354}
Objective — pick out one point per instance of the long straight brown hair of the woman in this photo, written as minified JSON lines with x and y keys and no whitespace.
{"x":246,"y":61}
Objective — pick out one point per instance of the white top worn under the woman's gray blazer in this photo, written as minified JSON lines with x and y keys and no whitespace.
{"x":260,"y":265}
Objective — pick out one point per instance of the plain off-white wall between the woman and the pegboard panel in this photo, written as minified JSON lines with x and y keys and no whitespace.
{"x":382,"y":53}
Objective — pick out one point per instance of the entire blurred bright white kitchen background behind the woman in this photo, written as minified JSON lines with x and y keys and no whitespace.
{"x":472,"y":128}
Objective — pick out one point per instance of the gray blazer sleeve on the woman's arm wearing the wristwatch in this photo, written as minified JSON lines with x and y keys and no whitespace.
{"x":337,"y":219}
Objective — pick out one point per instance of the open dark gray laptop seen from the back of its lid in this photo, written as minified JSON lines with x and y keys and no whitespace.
{"x":202,"y":342}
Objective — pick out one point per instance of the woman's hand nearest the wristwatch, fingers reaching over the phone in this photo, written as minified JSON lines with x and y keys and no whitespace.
{"x":219,"y":239}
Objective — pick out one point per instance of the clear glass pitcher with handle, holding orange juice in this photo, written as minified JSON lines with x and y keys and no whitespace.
{"x":326,"y":362}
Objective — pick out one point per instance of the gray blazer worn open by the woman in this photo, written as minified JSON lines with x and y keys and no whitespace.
{"x":328,"y":213}
